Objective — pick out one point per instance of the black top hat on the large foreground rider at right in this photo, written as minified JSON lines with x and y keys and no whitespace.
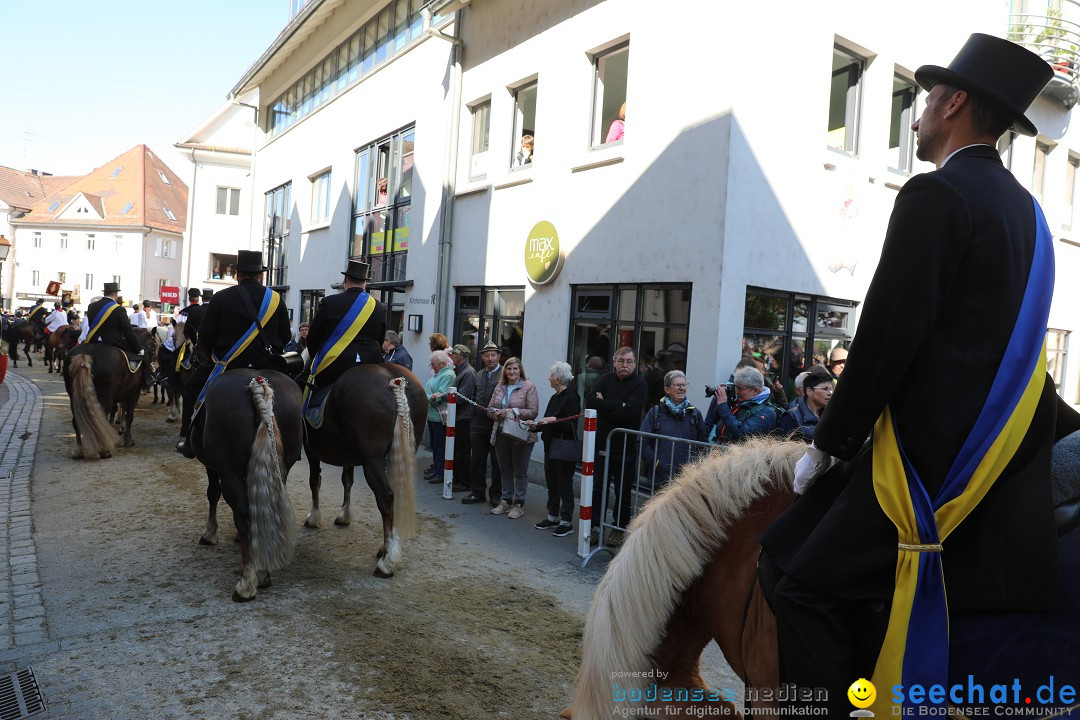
{"x":997,"y":71}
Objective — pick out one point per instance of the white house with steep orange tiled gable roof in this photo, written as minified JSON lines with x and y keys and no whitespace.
{"x":123,"y":223}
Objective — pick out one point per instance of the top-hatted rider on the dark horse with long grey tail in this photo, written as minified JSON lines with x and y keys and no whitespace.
{"x":246,"y":325}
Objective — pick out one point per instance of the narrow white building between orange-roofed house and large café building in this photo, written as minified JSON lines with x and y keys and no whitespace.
{"x":220,"y":201}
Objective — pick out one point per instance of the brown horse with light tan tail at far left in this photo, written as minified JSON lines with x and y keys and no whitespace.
{"x":99,"y":382}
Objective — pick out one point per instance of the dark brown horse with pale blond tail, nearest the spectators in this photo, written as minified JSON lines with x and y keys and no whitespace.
{"x":369,"y":422}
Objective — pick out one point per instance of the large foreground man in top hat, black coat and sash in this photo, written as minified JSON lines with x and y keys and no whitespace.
{"x":934,"y":347}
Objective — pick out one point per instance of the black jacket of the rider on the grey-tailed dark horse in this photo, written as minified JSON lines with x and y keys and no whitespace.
{"x":228,"y":318}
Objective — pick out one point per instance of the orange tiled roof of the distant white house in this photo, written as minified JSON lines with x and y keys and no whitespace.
{"x":137,"y":179}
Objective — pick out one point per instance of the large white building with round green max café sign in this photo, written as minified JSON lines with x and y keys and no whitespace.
{"x":742,"y":211}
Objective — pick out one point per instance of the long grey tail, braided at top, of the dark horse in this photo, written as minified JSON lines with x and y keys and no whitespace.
{"x":272,"y":527}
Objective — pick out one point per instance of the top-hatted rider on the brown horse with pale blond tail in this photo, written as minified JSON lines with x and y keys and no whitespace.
{"x":362,"y":329}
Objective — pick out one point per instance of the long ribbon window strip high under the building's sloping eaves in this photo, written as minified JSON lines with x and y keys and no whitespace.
{"x":390,"y":33}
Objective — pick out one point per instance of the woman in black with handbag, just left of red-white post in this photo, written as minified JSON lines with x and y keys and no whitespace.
{"x":562,"y":451}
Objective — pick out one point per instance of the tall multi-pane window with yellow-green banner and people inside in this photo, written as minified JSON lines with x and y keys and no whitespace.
{"x":384,"y":203}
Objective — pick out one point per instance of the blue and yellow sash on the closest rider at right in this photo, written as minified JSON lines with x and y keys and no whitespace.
{"x":919,"y":621}
